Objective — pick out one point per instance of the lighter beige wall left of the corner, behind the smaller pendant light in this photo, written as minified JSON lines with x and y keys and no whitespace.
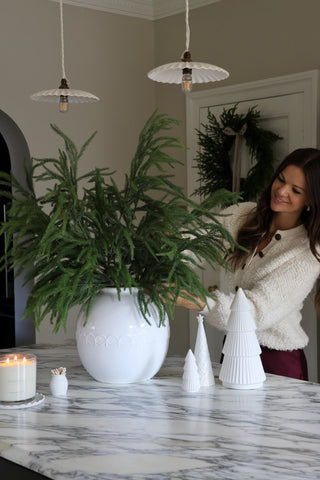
{"x":105,"y":54}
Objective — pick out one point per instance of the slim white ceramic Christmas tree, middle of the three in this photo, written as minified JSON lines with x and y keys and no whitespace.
{"x":202,"y":356}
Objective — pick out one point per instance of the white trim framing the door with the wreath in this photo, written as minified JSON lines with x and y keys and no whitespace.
{"x":306,"y":82}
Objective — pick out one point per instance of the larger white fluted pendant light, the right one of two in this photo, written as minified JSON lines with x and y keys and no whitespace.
{"x":186,"y":71}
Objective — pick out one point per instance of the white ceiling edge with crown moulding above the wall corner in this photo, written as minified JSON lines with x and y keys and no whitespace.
{"x":148,"y":9}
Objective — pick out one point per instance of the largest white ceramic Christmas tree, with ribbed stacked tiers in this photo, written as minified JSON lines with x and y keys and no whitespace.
{"x":241,"y":367}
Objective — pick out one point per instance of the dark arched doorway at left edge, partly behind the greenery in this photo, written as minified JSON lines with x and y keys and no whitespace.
{"x":14,"y":152}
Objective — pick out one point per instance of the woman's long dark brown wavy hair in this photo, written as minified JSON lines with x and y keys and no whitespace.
{"x":259,"y":220}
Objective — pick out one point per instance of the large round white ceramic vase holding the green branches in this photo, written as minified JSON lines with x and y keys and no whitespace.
{"x":116,"y":344}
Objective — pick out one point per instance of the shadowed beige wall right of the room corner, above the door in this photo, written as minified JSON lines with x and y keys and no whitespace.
{"x":253,"y":40}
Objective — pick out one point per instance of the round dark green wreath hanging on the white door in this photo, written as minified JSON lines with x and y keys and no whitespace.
{"x":217,"y":142}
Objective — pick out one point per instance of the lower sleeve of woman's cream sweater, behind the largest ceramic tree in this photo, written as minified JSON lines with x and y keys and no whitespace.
{"x":274,"y":296}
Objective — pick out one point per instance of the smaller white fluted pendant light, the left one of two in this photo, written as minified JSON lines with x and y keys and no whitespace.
{"x":63,"y":94}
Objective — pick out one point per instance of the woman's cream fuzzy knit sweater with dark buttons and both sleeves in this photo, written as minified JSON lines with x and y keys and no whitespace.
{"x":276,"y":283}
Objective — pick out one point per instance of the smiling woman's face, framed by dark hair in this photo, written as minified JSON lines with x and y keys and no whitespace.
{"x":289,"y":192}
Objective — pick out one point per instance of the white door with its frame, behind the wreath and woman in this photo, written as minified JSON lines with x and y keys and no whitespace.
{"x":289,"y":115}
